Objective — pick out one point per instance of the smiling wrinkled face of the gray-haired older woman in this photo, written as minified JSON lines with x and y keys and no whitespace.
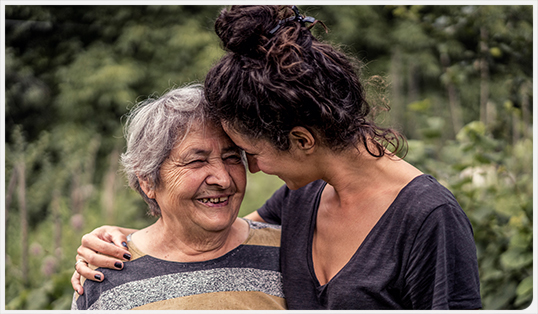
{"x":202,"y":181}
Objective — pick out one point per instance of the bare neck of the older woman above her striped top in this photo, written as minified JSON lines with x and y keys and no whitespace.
{"x":169,"y":241}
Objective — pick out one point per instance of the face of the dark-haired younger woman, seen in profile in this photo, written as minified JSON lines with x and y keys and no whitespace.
{"x":263,"y":156}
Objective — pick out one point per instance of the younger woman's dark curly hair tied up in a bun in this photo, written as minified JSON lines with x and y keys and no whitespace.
{"x":266,"y":83}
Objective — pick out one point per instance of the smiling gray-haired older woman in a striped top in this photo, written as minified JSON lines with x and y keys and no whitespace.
{"x":198,"y":254}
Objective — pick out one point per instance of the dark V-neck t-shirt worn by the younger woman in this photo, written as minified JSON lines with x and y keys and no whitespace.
{"x":420,"y":254}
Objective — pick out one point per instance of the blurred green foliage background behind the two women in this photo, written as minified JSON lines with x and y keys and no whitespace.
{"x":458,"y":80}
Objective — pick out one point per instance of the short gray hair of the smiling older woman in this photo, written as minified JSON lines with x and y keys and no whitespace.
{"x":152,"y":129}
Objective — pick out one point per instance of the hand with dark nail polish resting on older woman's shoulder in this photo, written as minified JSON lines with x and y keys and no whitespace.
{"x":106,"y":247}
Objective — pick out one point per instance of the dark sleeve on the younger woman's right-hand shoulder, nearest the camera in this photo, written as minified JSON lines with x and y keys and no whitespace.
{"x":442,"y":272}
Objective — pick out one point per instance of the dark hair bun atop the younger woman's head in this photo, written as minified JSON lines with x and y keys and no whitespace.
{"x":245,"y":29}
